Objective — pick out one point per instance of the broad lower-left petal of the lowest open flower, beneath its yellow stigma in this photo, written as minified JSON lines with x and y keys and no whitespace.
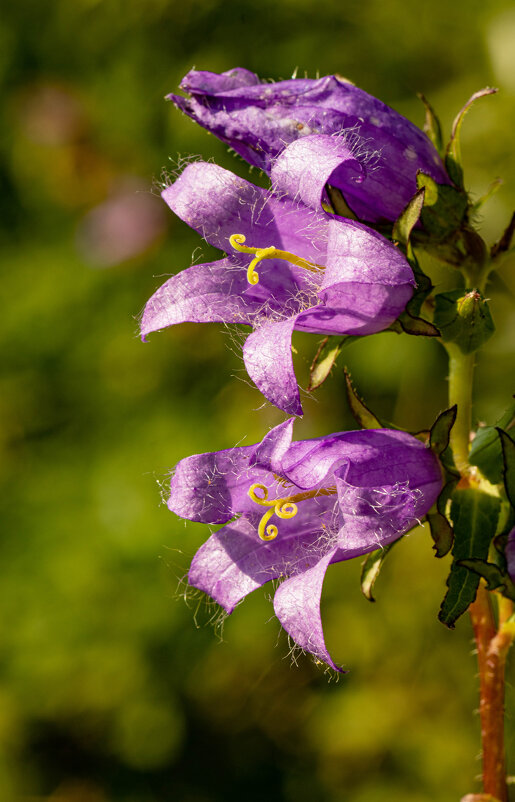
{"x":235,"y":561}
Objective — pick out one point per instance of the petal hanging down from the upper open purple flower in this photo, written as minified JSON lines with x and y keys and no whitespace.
{"x":268,"y":359}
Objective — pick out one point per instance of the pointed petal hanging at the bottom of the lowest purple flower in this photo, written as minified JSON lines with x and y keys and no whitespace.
{"x":297,"y":606}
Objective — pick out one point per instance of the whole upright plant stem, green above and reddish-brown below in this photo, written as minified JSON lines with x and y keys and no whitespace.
{"x":492,"y":642}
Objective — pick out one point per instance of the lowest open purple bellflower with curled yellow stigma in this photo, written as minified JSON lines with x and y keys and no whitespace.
{"x":300,"y":507}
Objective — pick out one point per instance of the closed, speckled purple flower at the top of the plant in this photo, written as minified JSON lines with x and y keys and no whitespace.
{"x":259,"y":120}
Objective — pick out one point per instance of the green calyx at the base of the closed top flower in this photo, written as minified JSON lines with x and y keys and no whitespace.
{"x":445,"y":207}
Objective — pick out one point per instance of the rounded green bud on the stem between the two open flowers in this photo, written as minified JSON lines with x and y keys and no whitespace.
{"x":464,"y":318}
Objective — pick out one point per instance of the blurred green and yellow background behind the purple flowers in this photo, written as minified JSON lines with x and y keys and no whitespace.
{"x":112,"y":688}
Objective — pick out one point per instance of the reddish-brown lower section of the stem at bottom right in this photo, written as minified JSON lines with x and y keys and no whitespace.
{"x":492,"y":647}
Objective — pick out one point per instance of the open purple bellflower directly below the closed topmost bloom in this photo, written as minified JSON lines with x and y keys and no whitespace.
{"x":289,"y":265}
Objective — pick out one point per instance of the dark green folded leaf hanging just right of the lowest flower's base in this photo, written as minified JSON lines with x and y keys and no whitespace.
{"x":474,"y":515}
